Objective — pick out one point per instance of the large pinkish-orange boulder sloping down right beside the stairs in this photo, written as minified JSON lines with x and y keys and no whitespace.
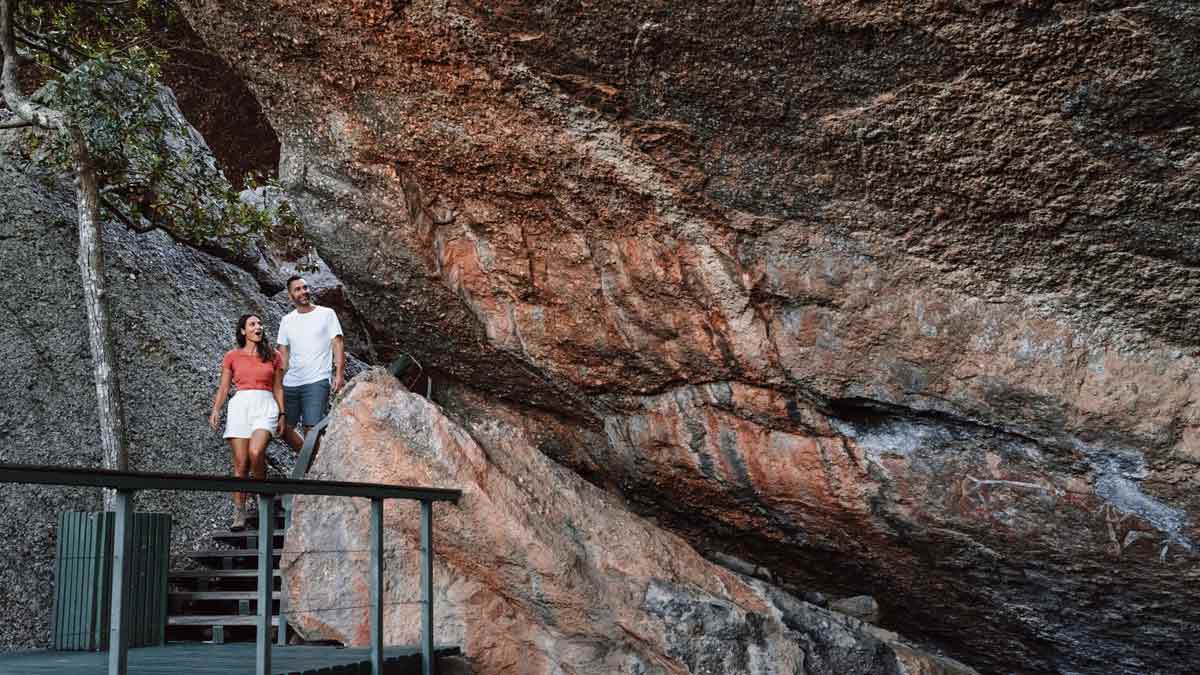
{"x":539,"y":572}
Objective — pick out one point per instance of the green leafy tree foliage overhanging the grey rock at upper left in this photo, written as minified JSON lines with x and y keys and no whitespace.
{"x":153,"y":168}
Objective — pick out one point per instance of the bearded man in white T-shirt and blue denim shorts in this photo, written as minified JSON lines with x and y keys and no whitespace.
{"x":309,"y":337}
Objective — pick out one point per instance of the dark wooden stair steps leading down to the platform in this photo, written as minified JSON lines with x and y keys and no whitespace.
{"x":217,"y":600}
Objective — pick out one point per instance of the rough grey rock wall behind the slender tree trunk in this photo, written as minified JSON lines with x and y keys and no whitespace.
{"x":173,"y":313}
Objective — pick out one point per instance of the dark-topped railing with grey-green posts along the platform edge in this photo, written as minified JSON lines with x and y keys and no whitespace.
{"x":127,"y":483}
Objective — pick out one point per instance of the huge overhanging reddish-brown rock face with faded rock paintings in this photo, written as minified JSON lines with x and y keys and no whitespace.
{"x":890,"y":297}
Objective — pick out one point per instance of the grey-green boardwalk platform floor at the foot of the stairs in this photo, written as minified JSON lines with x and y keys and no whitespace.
{"x":226,"y":660}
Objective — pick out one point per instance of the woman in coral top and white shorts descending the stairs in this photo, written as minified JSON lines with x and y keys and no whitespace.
{"x":255,"y":411}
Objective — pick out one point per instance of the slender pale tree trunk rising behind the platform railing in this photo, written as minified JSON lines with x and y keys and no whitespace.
{"x":100,"y":339}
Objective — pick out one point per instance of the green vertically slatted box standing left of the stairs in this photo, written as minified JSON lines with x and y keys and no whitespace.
{"x":85,"y":582}
